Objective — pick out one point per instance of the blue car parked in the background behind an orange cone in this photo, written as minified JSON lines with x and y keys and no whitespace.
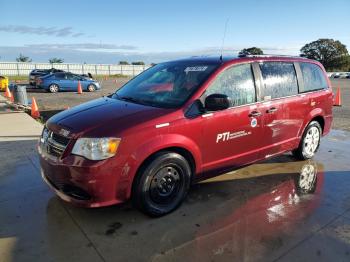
{"x":64,"y":81}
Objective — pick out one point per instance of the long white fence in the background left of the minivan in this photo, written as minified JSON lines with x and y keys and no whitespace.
{"x":14,"y":68}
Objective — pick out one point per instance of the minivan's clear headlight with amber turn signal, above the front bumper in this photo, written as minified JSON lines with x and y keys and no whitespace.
{"x":96,"y":148}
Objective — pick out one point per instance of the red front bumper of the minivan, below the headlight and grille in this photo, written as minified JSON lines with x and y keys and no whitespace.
{"x":85,"y":183}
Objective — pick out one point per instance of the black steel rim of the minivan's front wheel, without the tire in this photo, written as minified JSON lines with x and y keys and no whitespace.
{"x":166,"y":184}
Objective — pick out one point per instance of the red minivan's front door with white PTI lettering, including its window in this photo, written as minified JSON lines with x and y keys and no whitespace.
{"x":233,"y":136}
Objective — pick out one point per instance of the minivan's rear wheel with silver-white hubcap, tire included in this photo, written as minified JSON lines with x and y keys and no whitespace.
{"x":310,"y":141}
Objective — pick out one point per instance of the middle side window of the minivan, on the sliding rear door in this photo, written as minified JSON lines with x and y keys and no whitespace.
{"x":279,"y":79}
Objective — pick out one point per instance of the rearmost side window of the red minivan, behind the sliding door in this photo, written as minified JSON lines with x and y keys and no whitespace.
{"x":313,"y":77}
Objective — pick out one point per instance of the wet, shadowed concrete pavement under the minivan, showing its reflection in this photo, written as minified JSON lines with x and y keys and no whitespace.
{"x":277,"y":210}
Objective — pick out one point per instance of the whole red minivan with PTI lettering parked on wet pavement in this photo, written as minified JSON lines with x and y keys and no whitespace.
{"x":182,"y":121}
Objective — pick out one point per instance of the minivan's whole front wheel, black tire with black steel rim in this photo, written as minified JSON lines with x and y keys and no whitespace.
{"x":161,"y":184}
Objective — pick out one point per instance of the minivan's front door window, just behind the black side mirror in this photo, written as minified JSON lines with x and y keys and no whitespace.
{"x":236,"y":82}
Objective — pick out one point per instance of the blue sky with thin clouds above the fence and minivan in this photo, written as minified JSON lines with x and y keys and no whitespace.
{"x":103,"y":31}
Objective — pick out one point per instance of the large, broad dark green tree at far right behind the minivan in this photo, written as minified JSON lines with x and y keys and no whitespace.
{"x":331,"y":53}
